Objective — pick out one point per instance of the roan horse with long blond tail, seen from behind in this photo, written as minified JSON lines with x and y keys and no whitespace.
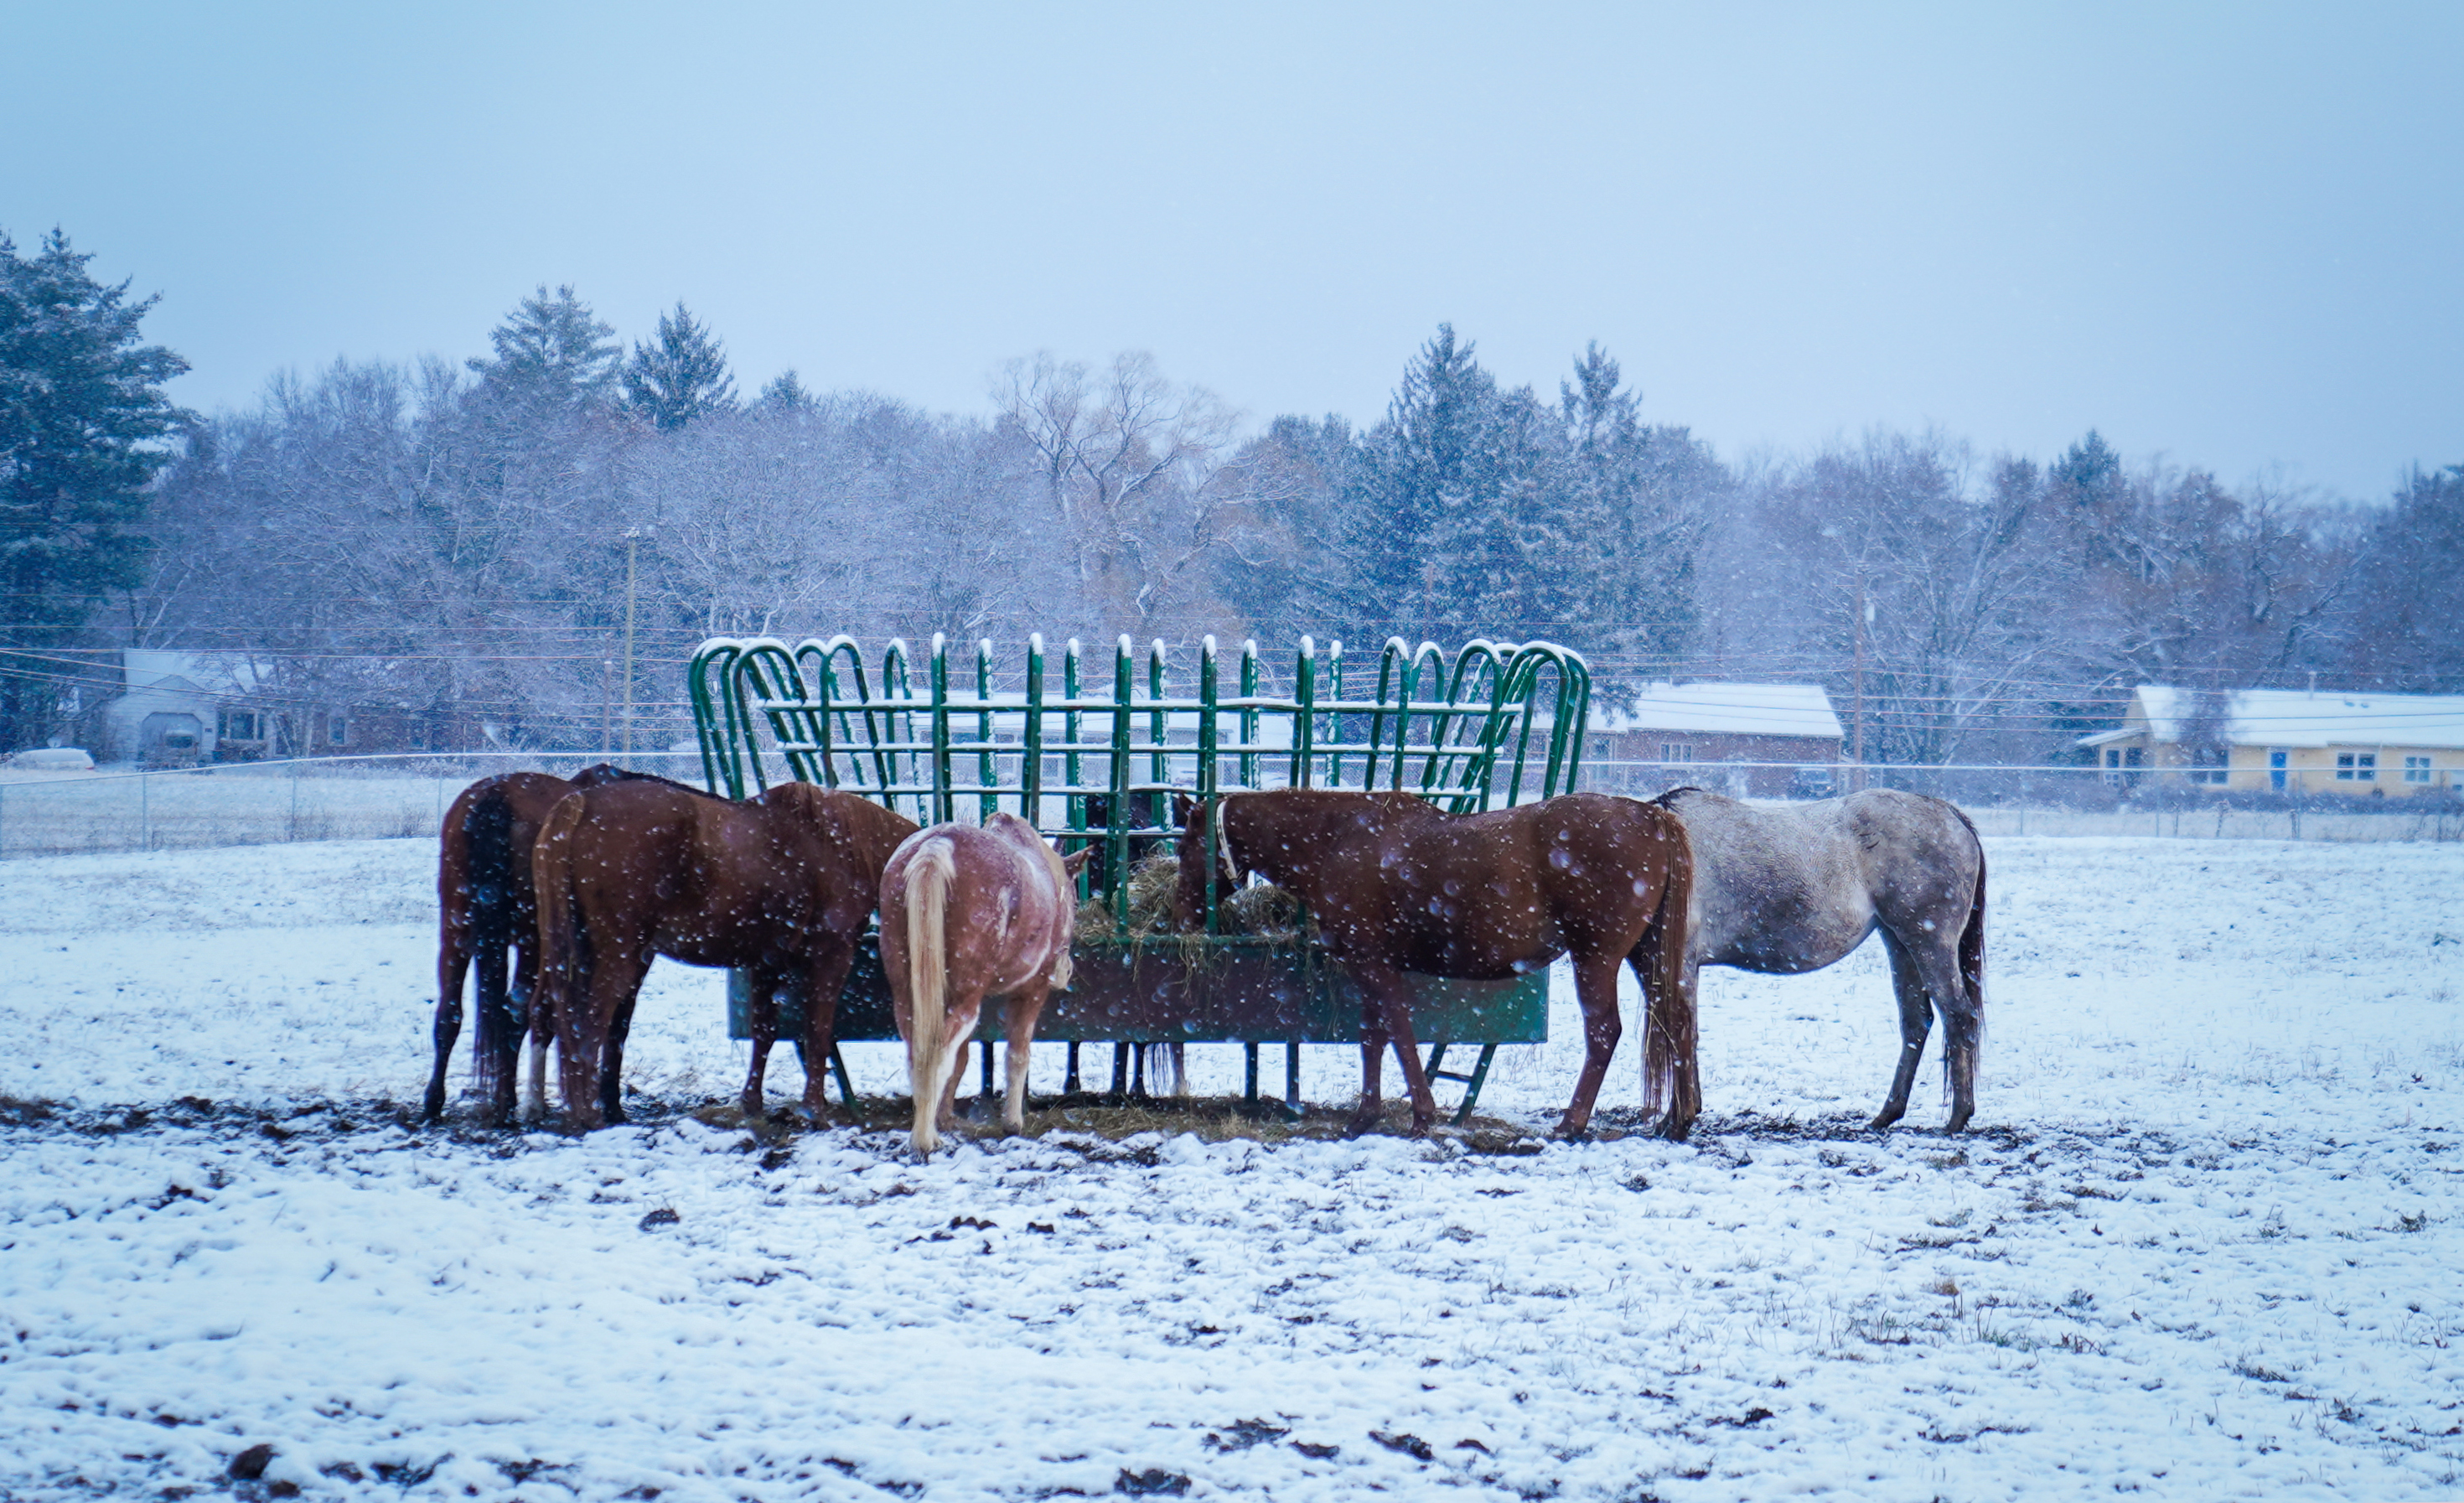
{"x":972,"y":913}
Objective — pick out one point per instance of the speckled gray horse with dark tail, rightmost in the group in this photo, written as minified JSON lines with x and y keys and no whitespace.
{"x":1788,"y":891}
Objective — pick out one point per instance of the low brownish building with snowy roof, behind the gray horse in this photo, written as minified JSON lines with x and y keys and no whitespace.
{"x":1785,"y":728}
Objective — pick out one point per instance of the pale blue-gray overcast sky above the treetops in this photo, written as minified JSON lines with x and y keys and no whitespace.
{"x":2226,"y":235}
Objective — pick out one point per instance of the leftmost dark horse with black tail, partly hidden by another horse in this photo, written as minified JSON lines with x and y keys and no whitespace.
{"x":487,"y":910}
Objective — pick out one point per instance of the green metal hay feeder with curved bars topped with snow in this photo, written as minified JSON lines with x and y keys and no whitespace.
{"x":1485,"y":728}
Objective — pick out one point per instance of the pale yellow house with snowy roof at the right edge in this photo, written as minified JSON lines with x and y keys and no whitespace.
{"x":2288,"y":743}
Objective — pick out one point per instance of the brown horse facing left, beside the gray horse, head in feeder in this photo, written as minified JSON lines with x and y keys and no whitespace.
{"x":1401,"y":886}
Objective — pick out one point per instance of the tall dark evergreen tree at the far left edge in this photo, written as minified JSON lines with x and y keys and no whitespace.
{"x":83,"y":413}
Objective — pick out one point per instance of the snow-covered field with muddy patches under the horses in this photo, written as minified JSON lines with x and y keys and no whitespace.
{"x":2202,"y":1248}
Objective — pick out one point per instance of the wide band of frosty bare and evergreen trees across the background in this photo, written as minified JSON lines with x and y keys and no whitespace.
{"x":469,"y":543}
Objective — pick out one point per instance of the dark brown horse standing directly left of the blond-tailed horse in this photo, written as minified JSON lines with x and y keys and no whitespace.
{"x":780,"y":886}
